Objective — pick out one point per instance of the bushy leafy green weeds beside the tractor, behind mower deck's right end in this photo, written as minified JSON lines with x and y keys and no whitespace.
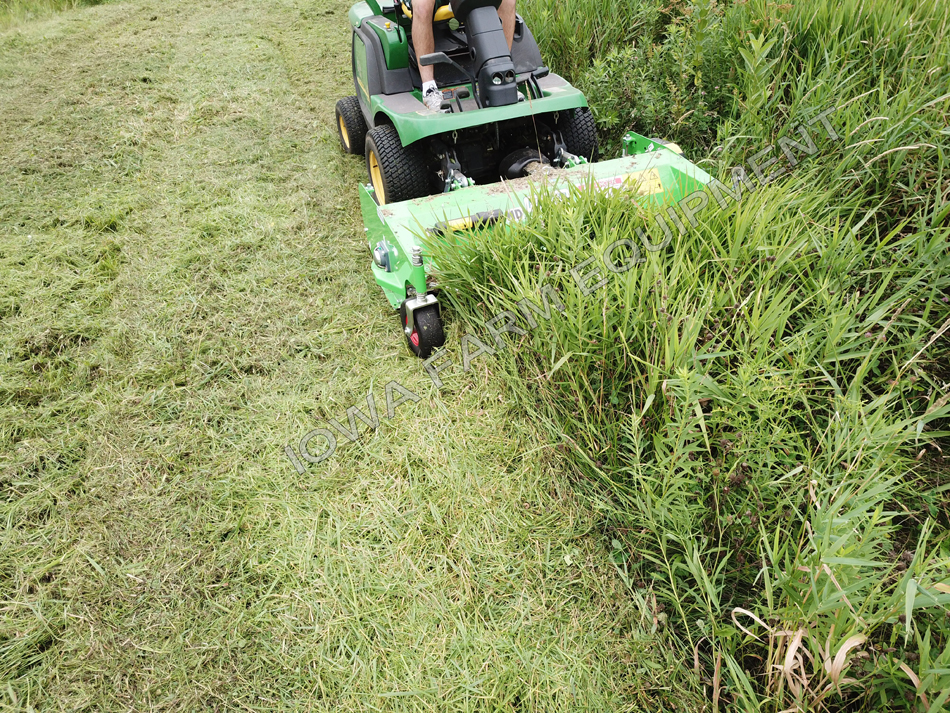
{"x":662,"y":70}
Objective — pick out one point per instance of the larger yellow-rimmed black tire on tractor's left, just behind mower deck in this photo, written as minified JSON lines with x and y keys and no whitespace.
{"x":397,"y":172}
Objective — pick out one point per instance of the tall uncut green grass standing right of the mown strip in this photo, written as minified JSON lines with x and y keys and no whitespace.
{"x":758,"y":408}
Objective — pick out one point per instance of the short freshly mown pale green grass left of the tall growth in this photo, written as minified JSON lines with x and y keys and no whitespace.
{"x":183,"y":292}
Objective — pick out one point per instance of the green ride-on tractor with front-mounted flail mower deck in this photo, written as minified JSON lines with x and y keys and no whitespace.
{"x":506,"y":123}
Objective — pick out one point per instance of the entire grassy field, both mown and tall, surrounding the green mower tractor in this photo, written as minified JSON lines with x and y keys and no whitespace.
{"x":718,"y":483}
